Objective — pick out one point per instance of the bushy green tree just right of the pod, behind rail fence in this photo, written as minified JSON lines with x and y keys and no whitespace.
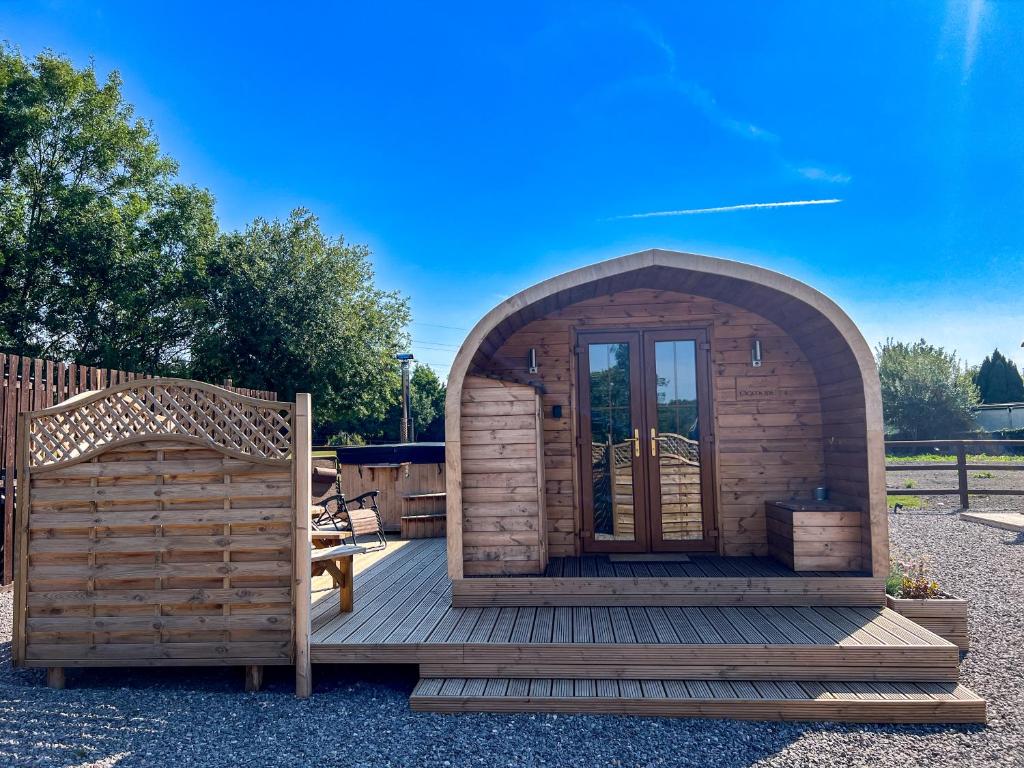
{"x":925,"y":393}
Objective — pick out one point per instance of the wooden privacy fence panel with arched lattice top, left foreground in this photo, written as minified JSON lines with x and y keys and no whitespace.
{"x":157,"y":526}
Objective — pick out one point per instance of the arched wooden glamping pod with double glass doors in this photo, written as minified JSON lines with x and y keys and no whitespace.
{"x":665,"y":403}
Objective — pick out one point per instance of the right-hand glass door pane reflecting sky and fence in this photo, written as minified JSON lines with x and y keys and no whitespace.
{"x":679,"y":434}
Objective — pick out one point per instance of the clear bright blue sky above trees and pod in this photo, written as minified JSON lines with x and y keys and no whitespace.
{"x":480,"y":148}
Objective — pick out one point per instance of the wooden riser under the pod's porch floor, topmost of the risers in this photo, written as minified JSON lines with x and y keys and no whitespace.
{"x":478,"y":593}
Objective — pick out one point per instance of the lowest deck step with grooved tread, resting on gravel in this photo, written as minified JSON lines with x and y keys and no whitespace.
{"x":779,"y":700}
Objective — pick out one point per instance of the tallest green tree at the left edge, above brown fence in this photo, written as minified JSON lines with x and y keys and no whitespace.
{"x":102,"y":251}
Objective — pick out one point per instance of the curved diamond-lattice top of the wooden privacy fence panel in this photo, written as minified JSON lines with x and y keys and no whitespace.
{"x":137,"y":411}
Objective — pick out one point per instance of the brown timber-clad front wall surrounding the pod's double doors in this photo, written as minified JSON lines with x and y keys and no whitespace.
{"x":769,"y":420}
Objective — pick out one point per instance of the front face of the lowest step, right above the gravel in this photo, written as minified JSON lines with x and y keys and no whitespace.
{"x":843,"y":711}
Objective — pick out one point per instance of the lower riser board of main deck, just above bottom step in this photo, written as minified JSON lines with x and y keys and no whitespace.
{"x":694,"y":672}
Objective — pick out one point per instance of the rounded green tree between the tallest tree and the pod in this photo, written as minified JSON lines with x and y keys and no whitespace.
{"x":291,"y":310}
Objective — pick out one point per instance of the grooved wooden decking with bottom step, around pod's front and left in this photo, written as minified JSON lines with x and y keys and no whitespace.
{"x":485,"y":658}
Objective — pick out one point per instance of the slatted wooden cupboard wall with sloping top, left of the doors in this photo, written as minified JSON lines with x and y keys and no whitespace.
{"x":503,"y":479}
